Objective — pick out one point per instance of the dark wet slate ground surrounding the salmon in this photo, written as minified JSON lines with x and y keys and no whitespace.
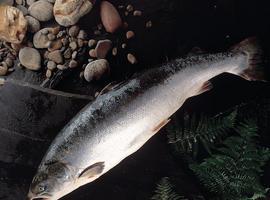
{"x":30,"y":118}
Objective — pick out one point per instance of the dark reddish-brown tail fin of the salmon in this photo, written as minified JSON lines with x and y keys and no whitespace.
{"x":254,"y":70}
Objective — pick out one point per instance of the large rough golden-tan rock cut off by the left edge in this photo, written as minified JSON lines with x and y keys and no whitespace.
{"x":13,"y":25}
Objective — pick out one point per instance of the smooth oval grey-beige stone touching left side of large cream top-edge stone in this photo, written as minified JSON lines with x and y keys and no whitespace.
{"x":41,"y":10}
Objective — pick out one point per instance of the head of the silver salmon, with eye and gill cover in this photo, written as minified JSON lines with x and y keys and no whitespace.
{"x":52,"y":182}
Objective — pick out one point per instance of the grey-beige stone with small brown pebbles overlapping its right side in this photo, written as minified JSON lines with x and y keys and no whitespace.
{"x":41,"y":40}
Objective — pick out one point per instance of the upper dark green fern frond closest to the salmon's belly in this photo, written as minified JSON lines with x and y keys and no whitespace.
{"x":205,"y":131}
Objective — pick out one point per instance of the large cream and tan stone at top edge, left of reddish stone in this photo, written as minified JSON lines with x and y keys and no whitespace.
{"x":69,"y":12}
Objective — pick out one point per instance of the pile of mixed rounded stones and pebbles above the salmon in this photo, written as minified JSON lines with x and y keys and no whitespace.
{"x":63,"y":44}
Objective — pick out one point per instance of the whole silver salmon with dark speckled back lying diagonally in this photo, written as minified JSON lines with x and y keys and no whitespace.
{"x":118,"y":123}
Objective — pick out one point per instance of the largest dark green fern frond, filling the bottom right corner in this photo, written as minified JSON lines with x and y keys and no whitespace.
{"x":235,"y":173}
